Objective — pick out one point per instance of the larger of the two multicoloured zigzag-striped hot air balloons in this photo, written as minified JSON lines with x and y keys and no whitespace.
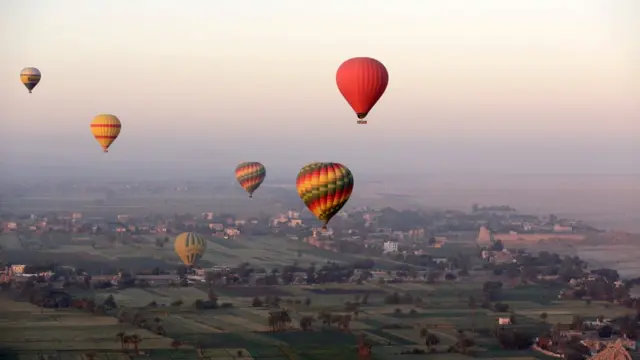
{"x":324,"y":188}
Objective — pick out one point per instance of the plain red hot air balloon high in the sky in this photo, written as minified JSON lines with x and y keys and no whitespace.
{"x":362,"y":81}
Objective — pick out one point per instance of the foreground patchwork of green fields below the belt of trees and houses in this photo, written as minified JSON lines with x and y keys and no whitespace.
{"x":243,"y":329}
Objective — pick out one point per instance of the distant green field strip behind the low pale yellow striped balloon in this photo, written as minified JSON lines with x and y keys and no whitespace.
{"x":265,"y":251}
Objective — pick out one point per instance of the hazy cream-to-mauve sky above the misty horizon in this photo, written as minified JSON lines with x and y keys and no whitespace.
{"x":495,"y":85}
